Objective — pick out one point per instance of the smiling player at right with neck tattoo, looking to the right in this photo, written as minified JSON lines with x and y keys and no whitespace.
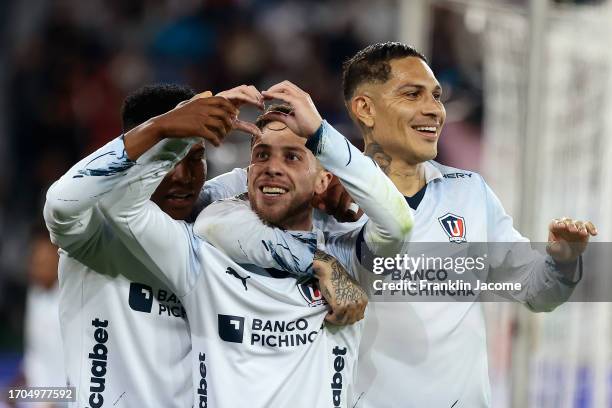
{"x":434,"y":354}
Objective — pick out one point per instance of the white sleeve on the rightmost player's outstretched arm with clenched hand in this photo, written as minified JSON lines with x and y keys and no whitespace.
{"x":512,"y":259}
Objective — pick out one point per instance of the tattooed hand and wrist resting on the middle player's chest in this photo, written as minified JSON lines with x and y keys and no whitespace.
{"x":347,"y":300}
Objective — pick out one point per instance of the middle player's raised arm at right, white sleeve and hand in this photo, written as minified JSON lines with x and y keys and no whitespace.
{"x":390,"y":217}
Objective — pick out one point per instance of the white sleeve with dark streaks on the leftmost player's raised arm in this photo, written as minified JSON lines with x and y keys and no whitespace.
{"x":70,"y":208}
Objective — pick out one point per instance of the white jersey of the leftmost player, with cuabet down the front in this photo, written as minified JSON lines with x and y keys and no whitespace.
{"x":125,"y":334}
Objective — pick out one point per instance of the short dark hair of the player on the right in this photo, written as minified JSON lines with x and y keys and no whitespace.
{"x":371,"y":64}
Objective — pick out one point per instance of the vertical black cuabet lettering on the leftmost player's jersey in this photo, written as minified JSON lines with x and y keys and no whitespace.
{"x":98,"y":357}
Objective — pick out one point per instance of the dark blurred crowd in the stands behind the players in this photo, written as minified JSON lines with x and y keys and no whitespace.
{"x":66,"y":66}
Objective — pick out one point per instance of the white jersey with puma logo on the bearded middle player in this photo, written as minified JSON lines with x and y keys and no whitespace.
{"x":258,"y":340}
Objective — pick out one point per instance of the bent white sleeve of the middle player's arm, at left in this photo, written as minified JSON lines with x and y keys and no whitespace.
{"x":165,"y":246}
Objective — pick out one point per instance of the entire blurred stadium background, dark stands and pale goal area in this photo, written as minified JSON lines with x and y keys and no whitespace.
{"x":528,"y":90}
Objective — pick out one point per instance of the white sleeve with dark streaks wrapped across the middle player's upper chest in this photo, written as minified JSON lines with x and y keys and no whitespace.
{"x":233,"y":227}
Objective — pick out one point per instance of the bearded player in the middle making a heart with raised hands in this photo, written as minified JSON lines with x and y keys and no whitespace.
{"x":258,"y":338}
